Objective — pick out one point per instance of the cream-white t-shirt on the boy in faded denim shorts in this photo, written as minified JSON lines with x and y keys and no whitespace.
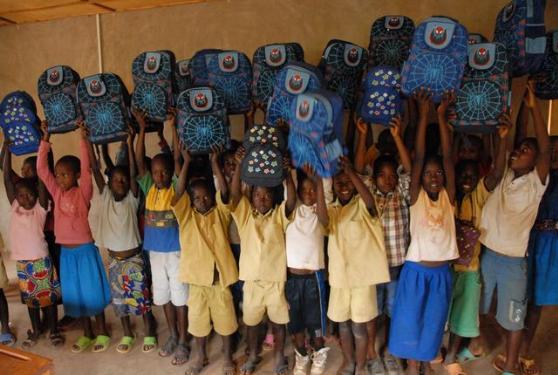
{"x":510,"y":212}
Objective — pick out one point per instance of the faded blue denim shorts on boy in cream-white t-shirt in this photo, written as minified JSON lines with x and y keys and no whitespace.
{"x":507,"y":275}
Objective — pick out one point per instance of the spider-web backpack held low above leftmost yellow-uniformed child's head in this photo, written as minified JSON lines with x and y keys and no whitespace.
{"x":202,"y":120}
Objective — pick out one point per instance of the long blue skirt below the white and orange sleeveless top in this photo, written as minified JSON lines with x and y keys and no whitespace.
{"x":420,"y":311}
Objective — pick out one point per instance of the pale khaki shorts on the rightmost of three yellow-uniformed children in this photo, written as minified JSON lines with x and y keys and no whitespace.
{"x":358,"y":304}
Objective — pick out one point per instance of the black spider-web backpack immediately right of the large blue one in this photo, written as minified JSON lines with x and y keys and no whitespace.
{"x":485,"y":92}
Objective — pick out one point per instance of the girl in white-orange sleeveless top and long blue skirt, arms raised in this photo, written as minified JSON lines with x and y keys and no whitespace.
{"x":424,"y":291}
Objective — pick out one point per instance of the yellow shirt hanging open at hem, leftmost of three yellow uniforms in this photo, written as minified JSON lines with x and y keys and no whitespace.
{"x":204,"y":243}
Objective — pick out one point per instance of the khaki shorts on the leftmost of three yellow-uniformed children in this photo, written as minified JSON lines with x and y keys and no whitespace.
{"x":208,"y":304}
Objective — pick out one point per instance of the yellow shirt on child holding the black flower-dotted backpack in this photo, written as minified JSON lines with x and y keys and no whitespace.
{"x":262,"y":242}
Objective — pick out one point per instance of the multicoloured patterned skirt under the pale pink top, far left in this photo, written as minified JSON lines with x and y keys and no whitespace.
{"x":38,"y":282}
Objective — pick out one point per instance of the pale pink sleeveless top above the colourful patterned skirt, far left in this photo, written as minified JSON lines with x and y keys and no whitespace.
{"x":25,"y":232}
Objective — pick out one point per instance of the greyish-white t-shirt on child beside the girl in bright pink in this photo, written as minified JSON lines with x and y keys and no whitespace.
{"x":114,"y":225}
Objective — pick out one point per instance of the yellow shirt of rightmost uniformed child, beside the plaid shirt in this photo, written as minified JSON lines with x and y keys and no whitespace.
{"x":357,"y":255}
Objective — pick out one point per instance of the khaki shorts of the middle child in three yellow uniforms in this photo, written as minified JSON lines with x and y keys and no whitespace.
{"x":261,"y":297}
